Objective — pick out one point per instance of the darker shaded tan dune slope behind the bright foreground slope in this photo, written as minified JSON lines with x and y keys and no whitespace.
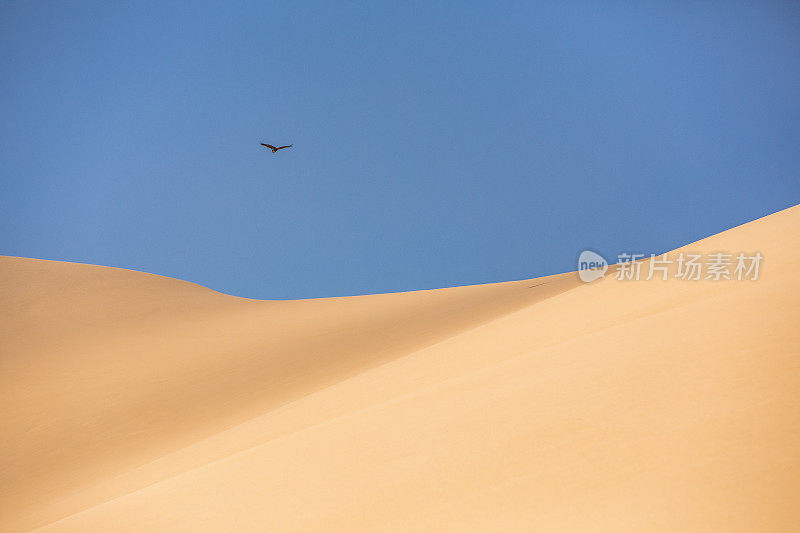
{"x":106,"y":369}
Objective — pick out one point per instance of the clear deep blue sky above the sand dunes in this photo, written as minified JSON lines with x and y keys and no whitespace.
{"x":435,"y":143}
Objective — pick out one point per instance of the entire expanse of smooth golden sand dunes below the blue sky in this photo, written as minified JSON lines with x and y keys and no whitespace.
{"x":134,"y":402}
